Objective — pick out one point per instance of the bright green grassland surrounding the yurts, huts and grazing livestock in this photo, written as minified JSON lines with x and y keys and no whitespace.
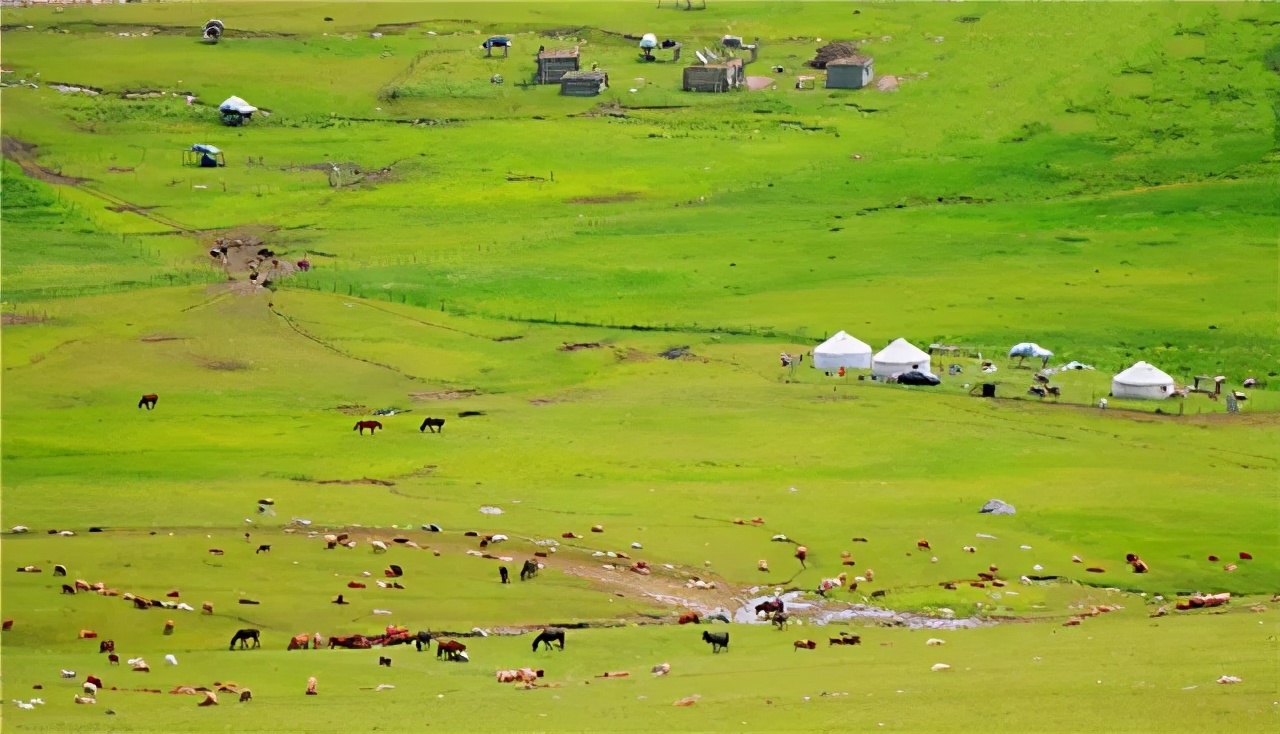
{"x":1099,"y":179}
